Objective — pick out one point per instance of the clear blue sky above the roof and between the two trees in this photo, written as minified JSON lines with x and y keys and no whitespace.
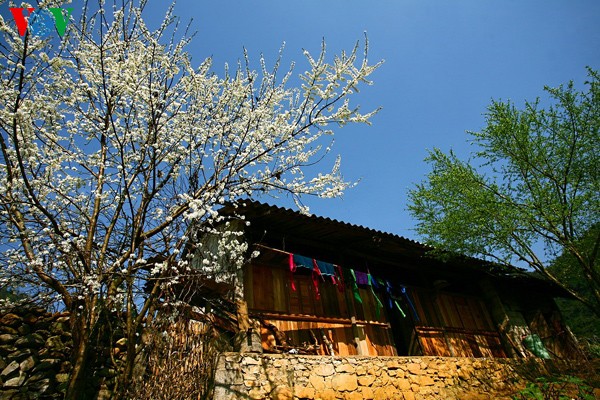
{"x":444,"y":62}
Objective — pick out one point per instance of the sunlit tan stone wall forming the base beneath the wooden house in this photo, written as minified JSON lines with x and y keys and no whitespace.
{"x":284,"y":376}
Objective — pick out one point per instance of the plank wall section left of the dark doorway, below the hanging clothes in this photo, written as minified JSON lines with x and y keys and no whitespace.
{"x":269,"y":295}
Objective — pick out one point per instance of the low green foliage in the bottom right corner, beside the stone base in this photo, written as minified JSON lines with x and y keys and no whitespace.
{"x":556,"y":388}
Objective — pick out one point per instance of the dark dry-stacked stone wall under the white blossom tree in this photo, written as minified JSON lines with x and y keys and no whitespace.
{"x":34,"y":355}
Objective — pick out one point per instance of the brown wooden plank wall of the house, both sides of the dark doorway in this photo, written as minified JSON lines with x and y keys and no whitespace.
{"x":449,"y":324}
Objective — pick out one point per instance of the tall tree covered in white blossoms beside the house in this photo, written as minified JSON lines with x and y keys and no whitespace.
{"x":114,"y":147}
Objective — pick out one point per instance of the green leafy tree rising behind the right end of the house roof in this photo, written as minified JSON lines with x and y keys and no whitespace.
{"x":530,"y":192}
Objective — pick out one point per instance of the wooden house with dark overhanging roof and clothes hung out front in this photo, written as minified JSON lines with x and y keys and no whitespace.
{"x":329,"y":287}
